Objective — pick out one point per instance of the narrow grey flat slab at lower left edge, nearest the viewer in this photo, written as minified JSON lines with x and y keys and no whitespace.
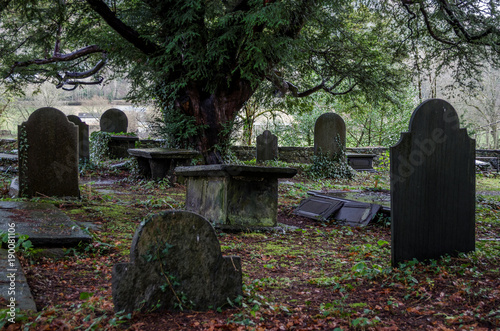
{"x":11,"y":273}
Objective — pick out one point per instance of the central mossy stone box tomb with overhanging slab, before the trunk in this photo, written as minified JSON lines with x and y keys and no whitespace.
{"x":234,"y":197}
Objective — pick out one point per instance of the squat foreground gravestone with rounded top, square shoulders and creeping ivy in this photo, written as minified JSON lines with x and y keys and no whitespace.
{"x":175,"y":259}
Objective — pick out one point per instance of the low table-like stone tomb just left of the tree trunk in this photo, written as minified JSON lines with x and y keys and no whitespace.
{"x":158,"y":163}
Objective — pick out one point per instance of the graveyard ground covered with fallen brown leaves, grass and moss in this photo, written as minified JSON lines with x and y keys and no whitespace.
{"x":318,"y":276}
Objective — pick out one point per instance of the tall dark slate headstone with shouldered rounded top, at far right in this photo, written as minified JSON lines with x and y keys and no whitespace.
{"x":432,"y":186}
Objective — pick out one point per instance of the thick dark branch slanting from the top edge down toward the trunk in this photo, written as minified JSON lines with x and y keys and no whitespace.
{"x":122,"y":29}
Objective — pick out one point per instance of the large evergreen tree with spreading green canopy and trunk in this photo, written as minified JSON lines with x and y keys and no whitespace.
{"x":200,"y":61}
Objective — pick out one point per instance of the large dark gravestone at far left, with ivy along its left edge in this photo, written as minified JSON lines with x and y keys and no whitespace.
{"x":48,"y":155}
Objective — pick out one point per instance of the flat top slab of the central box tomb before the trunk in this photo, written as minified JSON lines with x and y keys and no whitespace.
{"x":230,"y":170}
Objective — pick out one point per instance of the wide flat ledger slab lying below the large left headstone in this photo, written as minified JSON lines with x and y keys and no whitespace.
{"x":43,"y":223}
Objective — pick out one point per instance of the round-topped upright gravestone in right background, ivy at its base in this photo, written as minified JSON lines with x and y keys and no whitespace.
{"x":329,"y":135}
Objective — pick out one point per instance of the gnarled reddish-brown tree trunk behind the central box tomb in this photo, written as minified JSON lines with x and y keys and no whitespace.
{"x":214,"y":114}
